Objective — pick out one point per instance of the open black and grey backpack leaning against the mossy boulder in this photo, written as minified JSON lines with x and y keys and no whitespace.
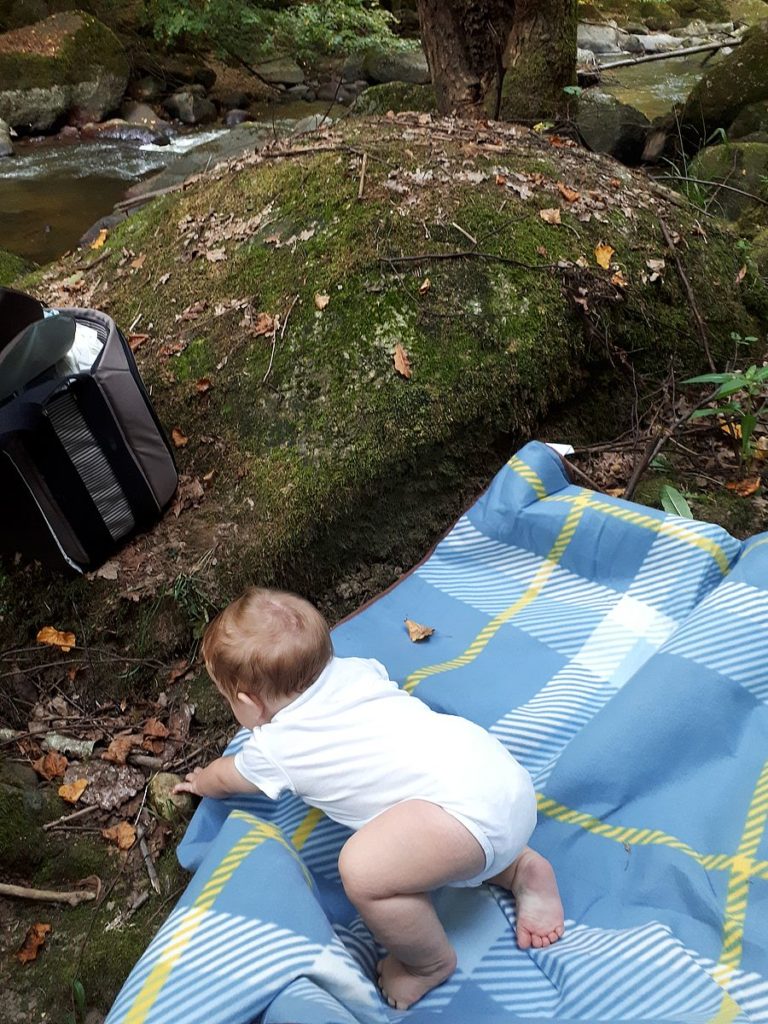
{"x":84,"y":461}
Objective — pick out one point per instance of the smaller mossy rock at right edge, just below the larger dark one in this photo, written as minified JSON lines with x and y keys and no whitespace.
{"x":743,"y":164}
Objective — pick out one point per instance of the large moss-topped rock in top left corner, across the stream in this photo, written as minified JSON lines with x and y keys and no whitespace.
{"x":70,"y":64}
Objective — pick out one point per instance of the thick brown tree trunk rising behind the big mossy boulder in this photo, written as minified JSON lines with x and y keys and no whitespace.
{"x":476,"y":47}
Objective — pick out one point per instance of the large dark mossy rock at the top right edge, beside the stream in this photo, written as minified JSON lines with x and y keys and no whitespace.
{"x":734,"y":83}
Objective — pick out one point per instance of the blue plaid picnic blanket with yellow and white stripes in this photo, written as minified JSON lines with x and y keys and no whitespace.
{"x":622,"y":656}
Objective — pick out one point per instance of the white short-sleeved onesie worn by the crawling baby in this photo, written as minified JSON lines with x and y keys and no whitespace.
{"x":355,"y":745}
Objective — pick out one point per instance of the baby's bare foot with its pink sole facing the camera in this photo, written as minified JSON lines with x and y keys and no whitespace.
{"x":538,"y":908}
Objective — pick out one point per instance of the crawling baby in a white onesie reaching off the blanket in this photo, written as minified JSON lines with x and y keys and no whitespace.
{"x":434,"y":799}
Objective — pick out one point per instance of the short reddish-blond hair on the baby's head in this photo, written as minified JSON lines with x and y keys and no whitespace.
{"x":268,"y":643}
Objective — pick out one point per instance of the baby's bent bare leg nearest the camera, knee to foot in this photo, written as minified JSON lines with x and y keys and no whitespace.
{"x":389,"y":869}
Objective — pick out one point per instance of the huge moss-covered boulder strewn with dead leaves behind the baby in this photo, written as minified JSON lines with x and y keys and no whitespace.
{"x":275,"y":301}
